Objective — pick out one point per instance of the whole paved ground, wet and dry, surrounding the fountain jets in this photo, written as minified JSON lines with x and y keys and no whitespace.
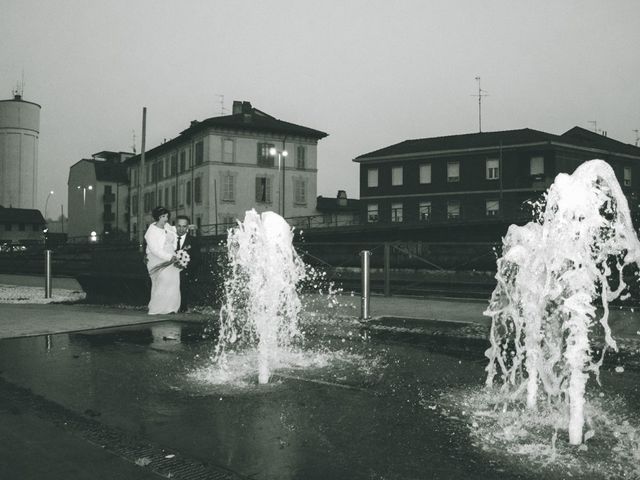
{"x":116,"y":388}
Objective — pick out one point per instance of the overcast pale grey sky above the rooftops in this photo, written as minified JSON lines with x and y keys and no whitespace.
{"x":369,"y":73}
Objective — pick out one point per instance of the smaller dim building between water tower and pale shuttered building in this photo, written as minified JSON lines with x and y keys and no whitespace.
{"x":98,"y":197}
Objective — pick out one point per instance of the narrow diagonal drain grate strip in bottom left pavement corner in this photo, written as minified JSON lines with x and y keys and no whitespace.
{"x":128,"y":447}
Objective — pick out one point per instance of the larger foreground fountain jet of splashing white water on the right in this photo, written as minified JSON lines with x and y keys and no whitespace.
{"x":549,"y":275}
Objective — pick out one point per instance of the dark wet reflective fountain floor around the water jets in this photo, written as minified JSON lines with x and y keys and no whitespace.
{"x":351,"y":407}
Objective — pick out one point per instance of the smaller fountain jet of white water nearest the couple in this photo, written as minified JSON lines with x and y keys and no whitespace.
{"x":261,"y":305}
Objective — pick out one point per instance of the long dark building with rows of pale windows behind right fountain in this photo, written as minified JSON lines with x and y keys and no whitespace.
{"x":481,"y":178}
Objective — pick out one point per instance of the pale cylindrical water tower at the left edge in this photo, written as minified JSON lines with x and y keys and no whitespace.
{"x":19,"y":131}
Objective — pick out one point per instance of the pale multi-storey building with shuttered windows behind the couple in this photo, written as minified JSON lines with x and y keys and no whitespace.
{"x":218,"y":168}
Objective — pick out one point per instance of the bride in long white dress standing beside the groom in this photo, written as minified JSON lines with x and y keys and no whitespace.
{"x":165,"y":282}
